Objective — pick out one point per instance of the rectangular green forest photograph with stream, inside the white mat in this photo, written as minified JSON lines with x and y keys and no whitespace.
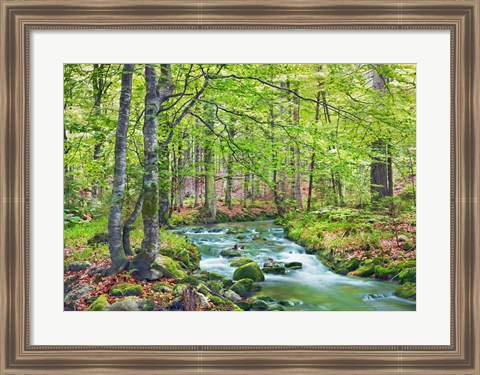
{"x":239,"y":187}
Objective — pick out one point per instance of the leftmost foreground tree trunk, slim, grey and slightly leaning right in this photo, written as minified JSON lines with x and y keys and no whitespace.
{"x":117,"y":254}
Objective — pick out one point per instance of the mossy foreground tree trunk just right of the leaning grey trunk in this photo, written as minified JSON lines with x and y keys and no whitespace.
{"x":154,"y":97}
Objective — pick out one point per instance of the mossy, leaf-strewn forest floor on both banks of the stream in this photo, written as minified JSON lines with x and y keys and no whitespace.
{"x":350,"y":241}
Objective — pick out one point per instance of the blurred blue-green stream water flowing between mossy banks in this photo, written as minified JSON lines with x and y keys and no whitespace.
{"x":314,"y":287}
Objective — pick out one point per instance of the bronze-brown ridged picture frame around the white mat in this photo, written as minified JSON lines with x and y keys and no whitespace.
{"x":19,"y":18}
